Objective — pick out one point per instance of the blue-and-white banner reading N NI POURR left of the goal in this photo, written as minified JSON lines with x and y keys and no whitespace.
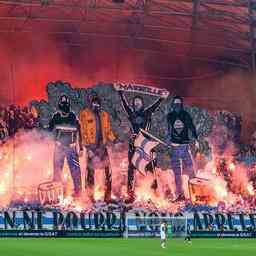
{"x":61,"y":221}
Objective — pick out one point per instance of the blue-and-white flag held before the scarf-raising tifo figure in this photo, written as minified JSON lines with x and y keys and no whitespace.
{"x":142,"y":156}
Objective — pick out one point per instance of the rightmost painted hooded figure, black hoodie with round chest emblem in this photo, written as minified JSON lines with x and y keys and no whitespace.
{"x":179,"y":125}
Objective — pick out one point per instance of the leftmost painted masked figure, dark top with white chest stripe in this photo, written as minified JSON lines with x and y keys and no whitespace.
{"x":67,"y":133}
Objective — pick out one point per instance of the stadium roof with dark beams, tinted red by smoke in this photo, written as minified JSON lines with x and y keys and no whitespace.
{"x":212,"y":32}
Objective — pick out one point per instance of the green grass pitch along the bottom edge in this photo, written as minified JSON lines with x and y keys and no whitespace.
{"x":125,"y":247}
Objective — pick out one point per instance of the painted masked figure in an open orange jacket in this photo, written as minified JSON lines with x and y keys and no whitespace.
{"x":96,"y":132}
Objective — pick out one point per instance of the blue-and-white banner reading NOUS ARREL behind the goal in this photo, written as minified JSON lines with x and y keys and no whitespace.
{"x":201,"y":224}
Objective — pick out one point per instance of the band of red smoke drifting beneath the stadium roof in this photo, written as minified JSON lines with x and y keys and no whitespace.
{"x":29,"y":61}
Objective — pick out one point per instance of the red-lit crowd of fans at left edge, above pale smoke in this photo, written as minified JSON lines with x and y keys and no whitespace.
{"x":13,"y":118}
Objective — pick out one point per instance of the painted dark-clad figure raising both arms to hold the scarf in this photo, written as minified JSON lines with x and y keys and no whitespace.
{"x":140,"y":118}
